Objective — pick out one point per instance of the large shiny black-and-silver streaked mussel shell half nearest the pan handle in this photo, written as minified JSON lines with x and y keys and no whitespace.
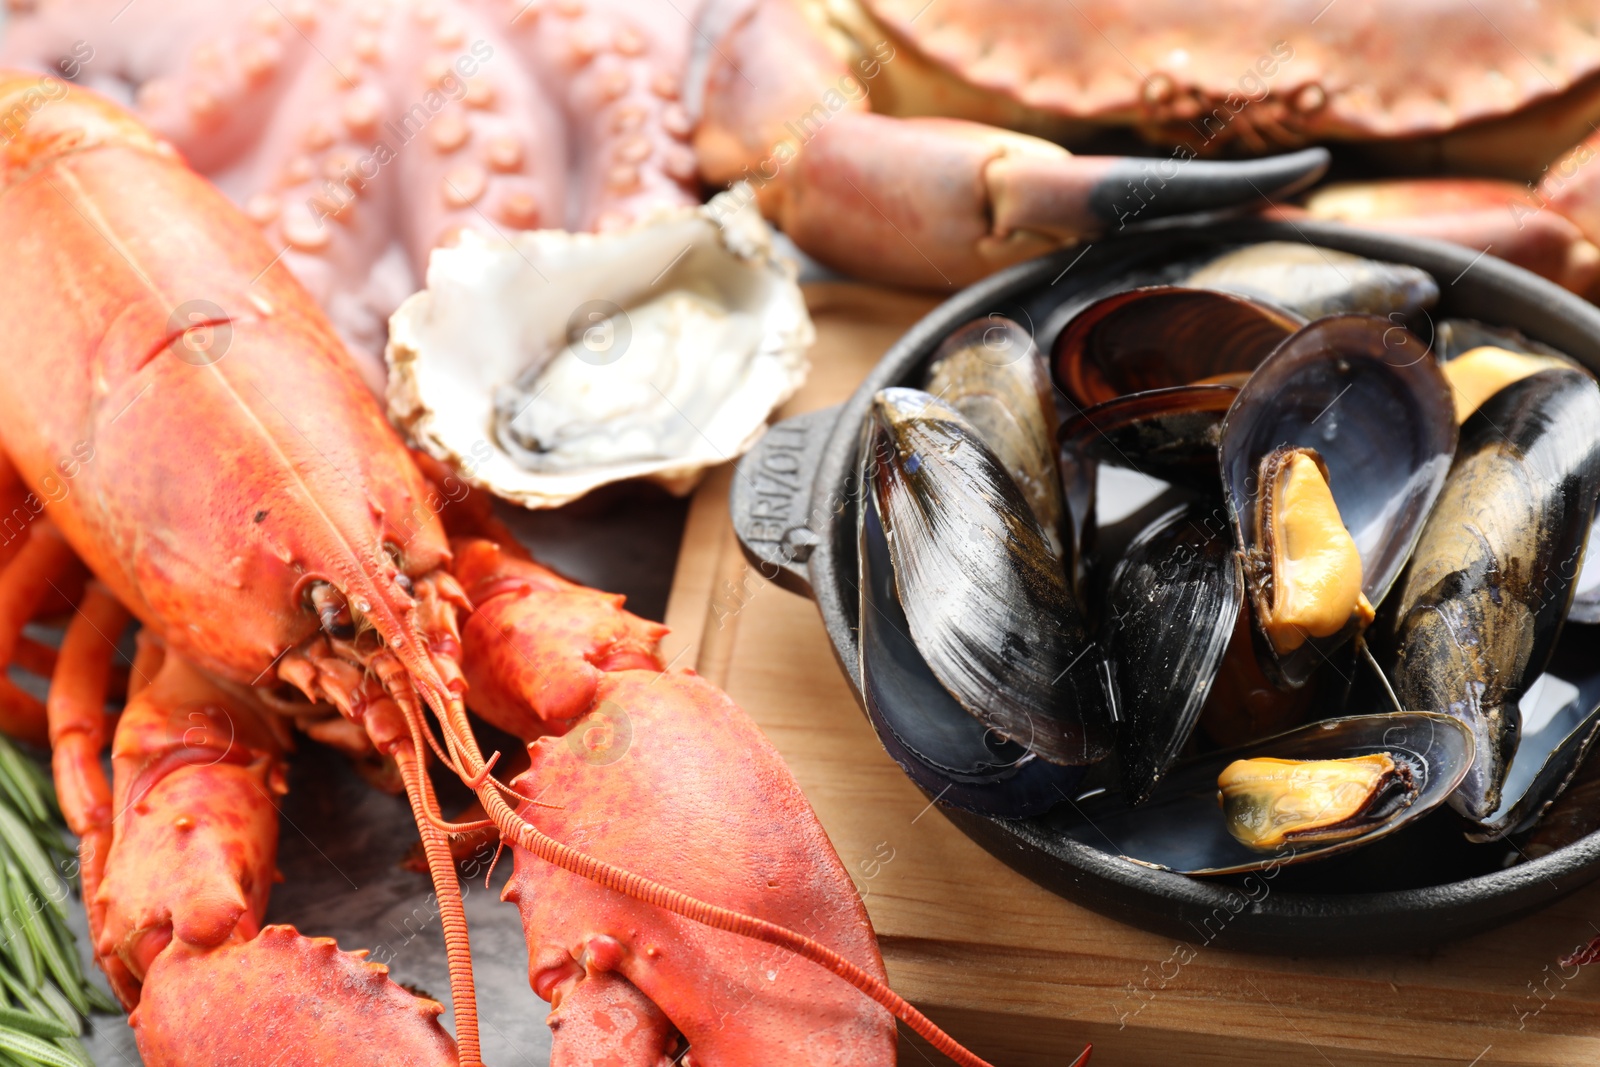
{"x":985,"y":599}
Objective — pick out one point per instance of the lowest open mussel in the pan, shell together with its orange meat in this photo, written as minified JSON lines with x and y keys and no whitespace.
{"x":1185,"y":828}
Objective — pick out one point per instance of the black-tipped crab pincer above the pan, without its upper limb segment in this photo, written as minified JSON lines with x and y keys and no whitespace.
{"x":942,"y":202}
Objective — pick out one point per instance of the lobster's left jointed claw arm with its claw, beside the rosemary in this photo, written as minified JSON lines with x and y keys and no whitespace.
{"x":177,"y":917}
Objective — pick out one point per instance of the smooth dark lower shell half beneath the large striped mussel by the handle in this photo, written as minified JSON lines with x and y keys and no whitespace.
{"x":937,"y":741}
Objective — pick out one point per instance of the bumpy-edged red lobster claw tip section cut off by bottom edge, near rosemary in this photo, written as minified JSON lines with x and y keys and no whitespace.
{"x":284,"y":999}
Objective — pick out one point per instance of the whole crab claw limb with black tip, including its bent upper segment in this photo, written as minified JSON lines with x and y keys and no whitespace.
{"x":930,"y":202}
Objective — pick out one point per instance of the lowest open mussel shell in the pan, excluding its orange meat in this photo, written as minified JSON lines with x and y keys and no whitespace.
{"x":1182,"y":828}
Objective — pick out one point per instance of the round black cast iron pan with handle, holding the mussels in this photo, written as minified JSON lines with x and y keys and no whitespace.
{"x":796,"y":514}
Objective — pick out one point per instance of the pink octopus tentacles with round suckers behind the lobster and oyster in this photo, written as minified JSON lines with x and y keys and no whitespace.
{"x":361,"y":135}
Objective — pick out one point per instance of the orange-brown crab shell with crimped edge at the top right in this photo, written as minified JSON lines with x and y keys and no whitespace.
{"x":1276,"y":74}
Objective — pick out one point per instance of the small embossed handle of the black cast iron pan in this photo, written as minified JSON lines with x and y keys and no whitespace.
{"x":770,"y":500}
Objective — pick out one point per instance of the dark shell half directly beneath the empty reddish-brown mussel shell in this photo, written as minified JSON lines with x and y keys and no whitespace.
{"x":1169,"y":434}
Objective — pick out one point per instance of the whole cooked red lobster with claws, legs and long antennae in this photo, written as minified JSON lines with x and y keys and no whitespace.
{"x":180,"y":420}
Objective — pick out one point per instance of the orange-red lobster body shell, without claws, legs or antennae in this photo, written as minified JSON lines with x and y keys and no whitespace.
{"x":178,"y":401}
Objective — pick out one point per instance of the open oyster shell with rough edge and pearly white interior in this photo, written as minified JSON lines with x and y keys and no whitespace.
{"x":546,"y":364}
